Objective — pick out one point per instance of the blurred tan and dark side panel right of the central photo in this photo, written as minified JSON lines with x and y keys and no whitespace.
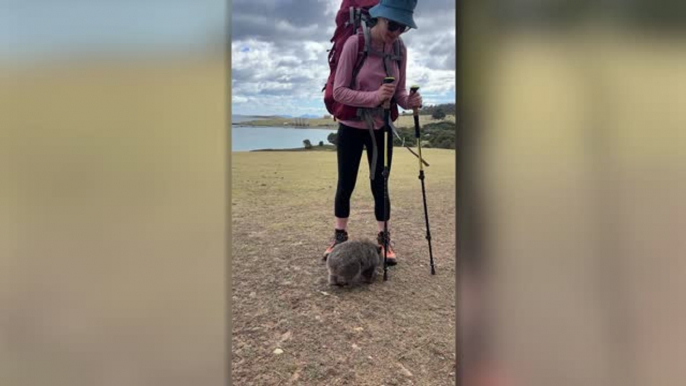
{"x":578,"y":170}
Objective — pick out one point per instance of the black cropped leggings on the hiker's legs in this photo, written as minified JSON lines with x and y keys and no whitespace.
{"x":349,"y":149}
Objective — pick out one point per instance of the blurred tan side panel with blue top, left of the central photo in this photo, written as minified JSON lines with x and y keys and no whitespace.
{"x":113,"y":193}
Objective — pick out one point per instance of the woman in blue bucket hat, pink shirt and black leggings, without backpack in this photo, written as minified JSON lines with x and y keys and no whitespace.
{"x":389,"y":19}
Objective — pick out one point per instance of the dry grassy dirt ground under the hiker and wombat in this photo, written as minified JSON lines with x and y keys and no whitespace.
{"x":289,"y":327}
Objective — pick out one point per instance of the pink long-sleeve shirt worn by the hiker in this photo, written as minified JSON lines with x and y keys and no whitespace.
{"x":369,"y":79}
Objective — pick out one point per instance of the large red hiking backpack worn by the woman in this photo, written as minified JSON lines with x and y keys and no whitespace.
{"x":352,"y":18}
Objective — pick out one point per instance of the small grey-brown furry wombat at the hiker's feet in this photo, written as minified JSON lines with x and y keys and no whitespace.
{"x":352,"y":261}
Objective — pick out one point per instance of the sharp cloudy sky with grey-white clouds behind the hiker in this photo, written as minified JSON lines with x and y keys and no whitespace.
{"x":279,"y":59}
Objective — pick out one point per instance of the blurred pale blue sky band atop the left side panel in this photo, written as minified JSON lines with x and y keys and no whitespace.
{"x":37,"y":30}
